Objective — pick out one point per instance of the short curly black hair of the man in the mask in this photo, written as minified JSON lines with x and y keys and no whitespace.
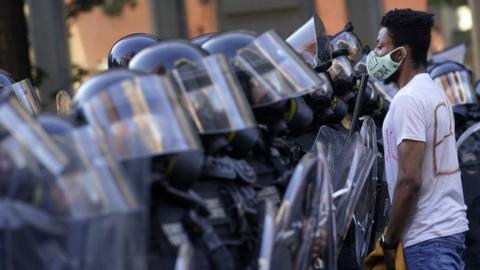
{"x":412,"y":28}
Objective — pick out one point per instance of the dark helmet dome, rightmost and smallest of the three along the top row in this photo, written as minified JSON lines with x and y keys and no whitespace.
{"x":228,"y":43}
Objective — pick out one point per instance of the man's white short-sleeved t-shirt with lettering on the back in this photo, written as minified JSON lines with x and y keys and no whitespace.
{"x":420,"y":111}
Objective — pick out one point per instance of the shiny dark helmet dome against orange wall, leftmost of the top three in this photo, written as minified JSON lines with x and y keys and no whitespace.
{"x":127,"y":47}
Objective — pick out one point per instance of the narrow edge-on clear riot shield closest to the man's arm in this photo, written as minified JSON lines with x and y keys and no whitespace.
{"x":364,"y":212}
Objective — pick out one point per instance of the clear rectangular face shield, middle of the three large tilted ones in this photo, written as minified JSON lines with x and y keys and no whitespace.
{"x":213,"y":96}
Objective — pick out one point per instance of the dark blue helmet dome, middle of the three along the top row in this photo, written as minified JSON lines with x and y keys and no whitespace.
{"x":165,"y":56}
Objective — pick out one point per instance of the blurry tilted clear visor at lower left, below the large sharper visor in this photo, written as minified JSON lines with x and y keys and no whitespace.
{"x":100,"y":176}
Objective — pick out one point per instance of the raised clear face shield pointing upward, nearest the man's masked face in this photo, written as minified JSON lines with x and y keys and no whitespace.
{"x":311,"y":42}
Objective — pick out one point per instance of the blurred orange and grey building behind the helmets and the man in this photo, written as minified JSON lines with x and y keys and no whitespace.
{"x":93,"y":33}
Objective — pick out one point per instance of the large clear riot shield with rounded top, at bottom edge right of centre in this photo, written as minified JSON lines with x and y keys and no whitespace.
{"x":305,"y":222}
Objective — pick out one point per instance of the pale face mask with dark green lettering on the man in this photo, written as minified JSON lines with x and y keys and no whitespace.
{"x":382,"y":67}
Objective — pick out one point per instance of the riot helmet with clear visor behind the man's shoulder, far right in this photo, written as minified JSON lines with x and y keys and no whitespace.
{"x":456,"y":80}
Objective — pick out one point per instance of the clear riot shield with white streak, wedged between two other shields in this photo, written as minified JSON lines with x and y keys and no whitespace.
{"x":350,"y":162}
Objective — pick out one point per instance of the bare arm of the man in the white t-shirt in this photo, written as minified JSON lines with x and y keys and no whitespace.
{"x":407,"y":189}
